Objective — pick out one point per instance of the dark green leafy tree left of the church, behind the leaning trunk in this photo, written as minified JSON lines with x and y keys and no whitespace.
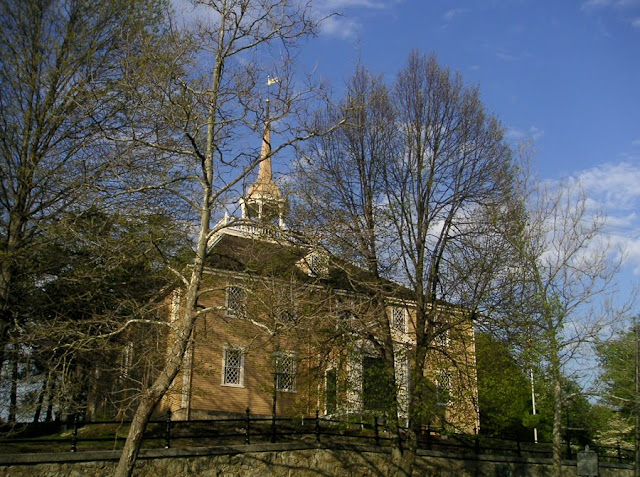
{"x":106,"y":275}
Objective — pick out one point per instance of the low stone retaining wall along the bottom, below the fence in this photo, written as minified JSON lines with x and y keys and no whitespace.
{"x":285,"y":460}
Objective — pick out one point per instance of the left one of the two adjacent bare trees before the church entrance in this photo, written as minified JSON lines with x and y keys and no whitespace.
{"x":341,"y":184}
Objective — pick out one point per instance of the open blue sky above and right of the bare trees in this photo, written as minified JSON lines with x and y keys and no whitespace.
{"x":566,"y":73}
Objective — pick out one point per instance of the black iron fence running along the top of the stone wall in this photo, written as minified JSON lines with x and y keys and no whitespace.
{"x":76,"y":435}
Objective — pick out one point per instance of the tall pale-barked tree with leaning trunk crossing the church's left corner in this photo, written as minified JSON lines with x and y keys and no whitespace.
{"x":194,"y":106}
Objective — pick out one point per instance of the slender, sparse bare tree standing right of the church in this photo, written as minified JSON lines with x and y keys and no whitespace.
{"x":565,"y":284}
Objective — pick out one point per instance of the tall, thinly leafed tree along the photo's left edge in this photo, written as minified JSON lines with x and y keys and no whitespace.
{"x":58,"y":81}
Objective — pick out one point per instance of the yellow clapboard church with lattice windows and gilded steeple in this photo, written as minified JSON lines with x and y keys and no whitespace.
{"x":279,"y":332}
